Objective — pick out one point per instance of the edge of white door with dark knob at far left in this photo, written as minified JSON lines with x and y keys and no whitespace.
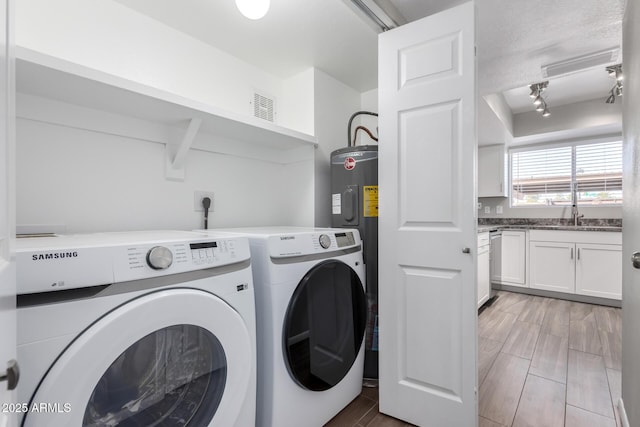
{"x":7,"y":264}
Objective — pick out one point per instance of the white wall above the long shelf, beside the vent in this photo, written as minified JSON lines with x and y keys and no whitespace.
{"x":110,"y":37}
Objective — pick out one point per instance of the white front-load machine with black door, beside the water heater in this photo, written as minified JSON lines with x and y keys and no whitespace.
{"x":311,"y":318}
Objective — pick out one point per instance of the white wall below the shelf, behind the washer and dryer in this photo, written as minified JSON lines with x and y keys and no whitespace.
{"x":100,"y":179}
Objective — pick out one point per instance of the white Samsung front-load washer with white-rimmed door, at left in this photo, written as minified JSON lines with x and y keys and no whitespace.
{"x":136,"y":329}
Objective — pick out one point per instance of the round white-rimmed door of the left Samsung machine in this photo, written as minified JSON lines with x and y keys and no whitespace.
{"x":155,"y":360}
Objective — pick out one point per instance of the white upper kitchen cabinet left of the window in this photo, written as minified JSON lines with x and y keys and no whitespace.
{"x":492,"y":171}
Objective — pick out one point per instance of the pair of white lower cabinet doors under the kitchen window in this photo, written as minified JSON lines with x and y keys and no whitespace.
{"x":576,"y":262}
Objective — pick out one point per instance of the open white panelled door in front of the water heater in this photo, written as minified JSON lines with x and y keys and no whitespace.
{"x":427,"y":220}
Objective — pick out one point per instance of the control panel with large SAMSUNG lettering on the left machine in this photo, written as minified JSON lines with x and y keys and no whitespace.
{"x":77,"y":261}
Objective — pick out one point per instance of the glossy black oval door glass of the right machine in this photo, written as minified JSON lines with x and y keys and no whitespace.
{"x":324,"y":325}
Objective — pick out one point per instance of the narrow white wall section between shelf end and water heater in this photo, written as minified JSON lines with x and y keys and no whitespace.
{"x":335,"y":102}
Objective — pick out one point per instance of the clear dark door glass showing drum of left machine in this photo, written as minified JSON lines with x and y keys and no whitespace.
{"x":174,"y":376}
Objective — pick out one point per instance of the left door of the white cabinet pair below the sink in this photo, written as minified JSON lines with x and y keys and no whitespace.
{"x":552,"y":267}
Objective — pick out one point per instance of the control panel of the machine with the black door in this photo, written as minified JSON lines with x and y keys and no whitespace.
{"x":298,"y":244}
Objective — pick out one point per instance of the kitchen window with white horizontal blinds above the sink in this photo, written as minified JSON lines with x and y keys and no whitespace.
{"x":547,"y":176}
